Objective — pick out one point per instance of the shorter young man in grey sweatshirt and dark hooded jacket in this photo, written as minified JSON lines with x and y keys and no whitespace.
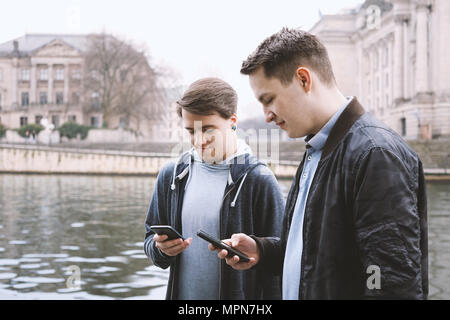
{"x":220,"y":187}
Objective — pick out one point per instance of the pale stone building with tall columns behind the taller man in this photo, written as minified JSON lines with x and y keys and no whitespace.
{"x":394,"y":55}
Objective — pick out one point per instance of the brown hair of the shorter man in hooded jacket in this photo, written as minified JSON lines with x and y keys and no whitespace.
{"x":209,"y":95}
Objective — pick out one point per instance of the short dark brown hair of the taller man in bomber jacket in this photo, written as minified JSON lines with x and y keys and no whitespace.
{"x":281,"y":54}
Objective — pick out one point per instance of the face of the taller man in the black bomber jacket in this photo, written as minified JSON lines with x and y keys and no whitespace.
{"x":288,"y":106}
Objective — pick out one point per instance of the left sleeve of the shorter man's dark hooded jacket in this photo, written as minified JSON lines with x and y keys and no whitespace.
{"x":158,"y":213}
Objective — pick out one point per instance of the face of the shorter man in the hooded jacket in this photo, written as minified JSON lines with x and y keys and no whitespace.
{"x":211,"y":135}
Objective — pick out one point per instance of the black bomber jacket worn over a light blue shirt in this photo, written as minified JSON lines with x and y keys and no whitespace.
{"x":366,"y":207}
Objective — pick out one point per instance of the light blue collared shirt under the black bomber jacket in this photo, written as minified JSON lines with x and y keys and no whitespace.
{"x":293,"y":256}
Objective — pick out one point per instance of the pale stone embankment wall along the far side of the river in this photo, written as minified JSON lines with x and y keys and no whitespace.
{"x":138,"y":160}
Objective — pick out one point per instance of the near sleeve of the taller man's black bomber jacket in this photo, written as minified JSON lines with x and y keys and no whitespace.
{"x":387,"y":221}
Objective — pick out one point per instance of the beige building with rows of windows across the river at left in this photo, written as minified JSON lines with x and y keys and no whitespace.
{"x":41,"y":76}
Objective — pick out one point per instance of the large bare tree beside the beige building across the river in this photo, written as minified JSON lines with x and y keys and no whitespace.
{"x":119,"y":80}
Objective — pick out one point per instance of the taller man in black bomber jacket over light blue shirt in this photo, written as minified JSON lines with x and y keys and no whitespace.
{"x":356,"y":217}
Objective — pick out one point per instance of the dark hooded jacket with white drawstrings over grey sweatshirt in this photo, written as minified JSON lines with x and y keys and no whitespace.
{"x":258,"y":209}
